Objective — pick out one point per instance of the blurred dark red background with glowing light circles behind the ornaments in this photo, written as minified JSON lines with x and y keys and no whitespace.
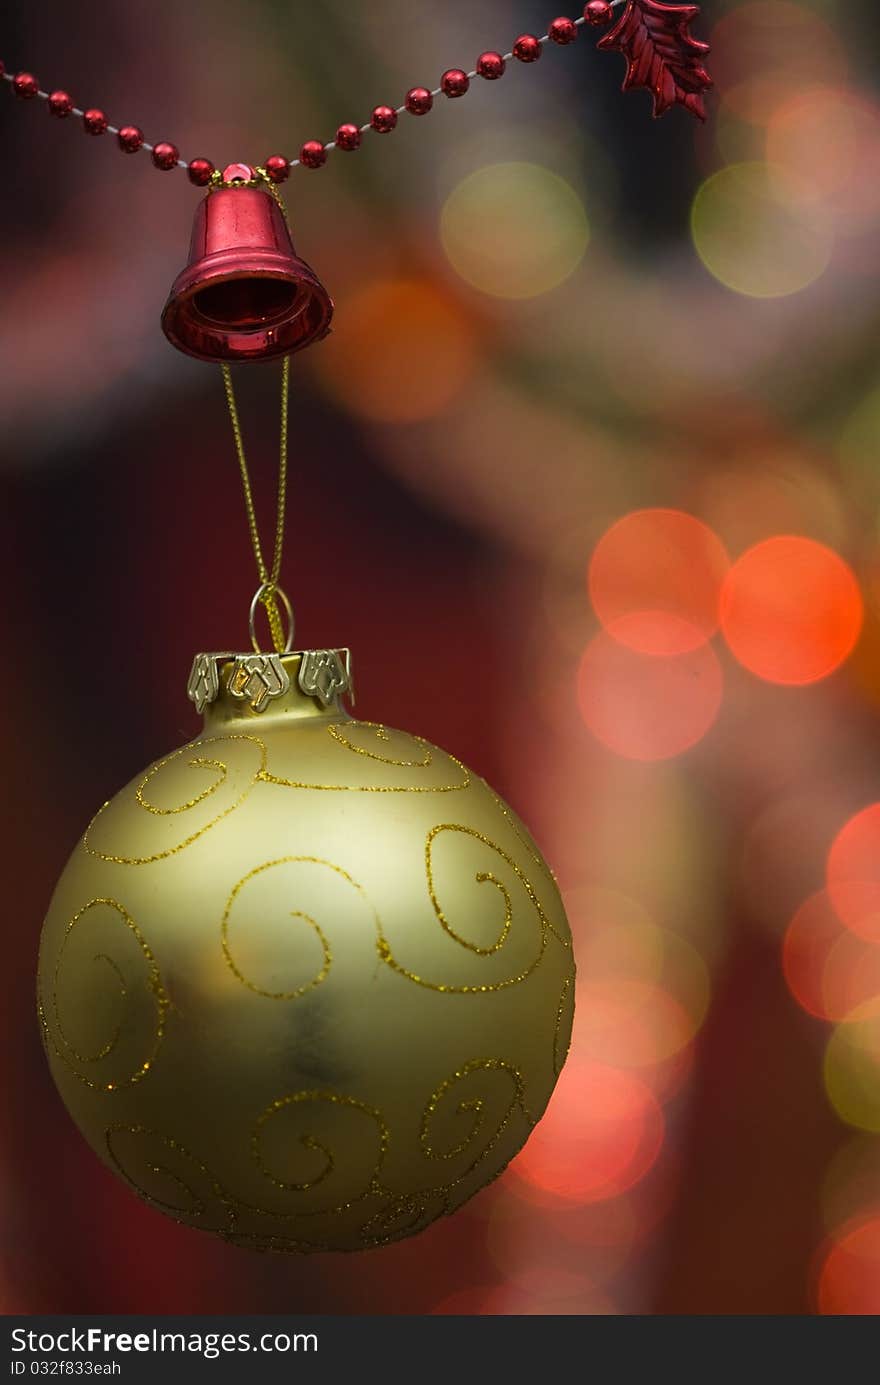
{"x":595,"y":438}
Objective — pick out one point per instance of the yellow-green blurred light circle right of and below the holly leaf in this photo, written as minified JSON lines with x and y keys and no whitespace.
{"x":756,"y":232}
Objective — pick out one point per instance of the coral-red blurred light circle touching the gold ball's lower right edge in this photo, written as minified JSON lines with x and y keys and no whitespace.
{"x":601,"y":1134}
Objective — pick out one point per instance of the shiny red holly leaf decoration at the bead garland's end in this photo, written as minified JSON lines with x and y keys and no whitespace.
{"x":660,"y":55}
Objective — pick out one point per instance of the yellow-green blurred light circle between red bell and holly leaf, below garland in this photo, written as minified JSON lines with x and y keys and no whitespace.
{"x":515,"y":231}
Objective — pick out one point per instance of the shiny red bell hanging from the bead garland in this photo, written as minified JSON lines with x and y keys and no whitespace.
{"x":245,"y":293}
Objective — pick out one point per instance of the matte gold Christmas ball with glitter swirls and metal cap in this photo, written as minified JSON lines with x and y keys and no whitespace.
{"x":307,"y":983}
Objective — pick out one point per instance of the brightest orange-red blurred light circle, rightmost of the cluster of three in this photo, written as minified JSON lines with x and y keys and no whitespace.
{"x":791,"y":610}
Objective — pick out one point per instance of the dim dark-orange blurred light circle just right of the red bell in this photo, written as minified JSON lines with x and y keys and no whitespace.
{"x":401,"y":352}
